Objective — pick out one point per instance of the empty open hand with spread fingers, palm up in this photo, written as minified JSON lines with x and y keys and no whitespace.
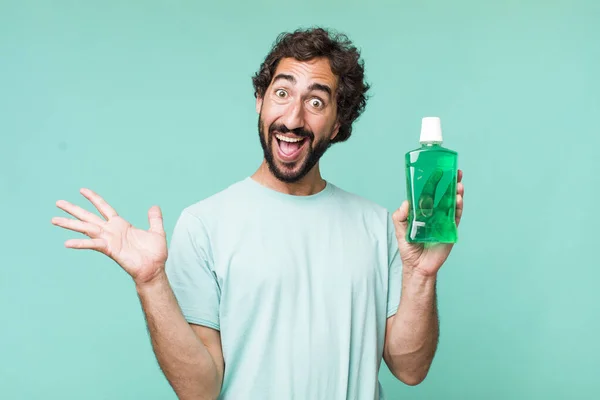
{"x":142,"y":254}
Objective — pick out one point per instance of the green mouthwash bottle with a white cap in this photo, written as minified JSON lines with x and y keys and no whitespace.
{"x":431,"y":177}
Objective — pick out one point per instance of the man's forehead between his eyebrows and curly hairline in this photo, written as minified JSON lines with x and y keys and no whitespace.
{"x":310,"y":71}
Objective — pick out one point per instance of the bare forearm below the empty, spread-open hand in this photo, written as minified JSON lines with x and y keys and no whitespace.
{"x":185,"y":361}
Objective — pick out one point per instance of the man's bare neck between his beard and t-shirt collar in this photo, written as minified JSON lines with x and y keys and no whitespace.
{"x":310,"y":184}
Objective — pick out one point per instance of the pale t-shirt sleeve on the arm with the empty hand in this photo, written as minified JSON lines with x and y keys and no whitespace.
{"x":189,"y":270}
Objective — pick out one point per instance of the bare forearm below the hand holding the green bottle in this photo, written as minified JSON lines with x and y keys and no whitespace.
{"x":414,"y":332}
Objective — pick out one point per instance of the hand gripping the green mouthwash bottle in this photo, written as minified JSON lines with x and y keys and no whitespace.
{"x":418,"y":257}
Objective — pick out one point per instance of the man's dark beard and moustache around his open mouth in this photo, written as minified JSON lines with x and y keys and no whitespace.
{"x":293,"y":171}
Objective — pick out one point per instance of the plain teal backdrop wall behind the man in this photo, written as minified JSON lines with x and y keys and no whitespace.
{"x":151,"y":102}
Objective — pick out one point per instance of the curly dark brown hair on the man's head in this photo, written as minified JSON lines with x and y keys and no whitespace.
{"x":345,"y":62}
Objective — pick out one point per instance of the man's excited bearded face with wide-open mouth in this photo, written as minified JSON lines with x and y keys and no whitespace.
{"x":297,"y":117}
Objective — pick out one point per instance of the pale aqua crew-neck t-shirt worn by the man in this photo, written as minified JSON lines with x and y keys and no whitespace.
{"x":299,"y":287}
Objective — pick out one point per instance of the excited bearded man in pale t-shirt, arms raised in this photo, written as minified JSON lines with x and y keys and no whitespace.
{"x":283,"y":285}
